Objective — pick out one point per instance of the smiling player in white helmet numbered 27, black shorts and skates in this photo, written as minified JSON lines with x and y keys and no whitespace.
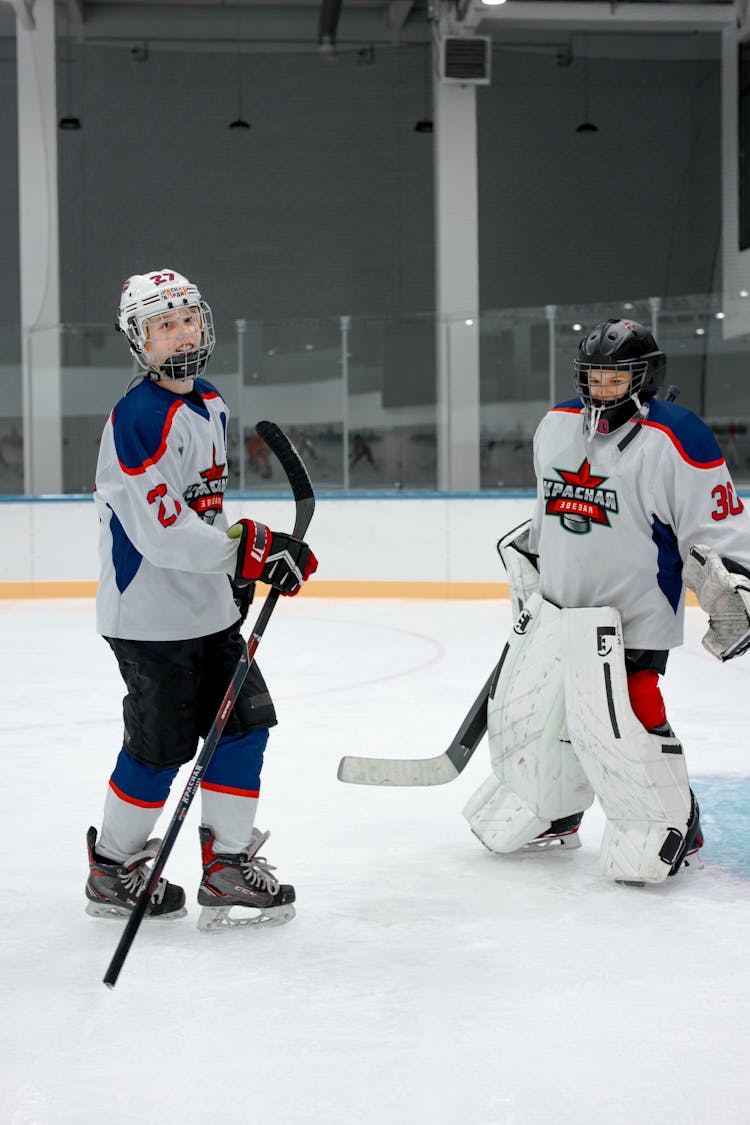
{"x":167,"y":609}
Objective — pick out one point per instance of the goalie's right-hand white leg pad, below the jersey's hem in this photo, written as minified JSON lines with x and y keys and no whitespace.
{"x":639,"y":778}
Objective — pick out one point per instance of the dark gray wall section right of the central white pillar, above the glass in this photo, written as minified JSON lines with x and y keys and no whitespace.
{"x":632,"y":211}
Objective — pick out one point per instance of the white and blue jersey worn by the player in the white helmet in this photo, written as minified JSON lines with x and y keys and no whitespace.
{"x":164,"y":552}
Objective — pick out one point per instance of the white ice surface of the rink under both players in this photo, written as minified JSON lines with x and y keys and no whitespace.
{"x":424,"y":982}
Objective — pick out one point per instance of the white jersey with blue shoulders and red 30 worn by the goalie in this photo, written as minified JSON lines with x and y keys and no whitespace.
{"x":617,"y":515}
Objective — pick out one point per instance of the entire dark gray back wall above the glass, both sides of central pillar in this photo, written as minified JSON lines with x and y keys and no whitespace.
{"x":327,"y":205}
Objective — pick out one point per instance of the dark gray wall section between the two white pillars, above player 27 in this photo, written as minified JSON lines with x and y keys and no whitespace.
{"x":323,"y":209}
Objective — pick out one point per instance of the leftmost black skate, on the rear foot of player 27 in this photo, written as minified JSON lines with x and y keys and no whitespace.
{"x":113,"y":889}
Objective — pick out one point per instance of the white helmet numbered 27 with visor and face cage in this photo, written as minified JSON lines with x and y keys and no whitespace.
{"x":166,"y":300}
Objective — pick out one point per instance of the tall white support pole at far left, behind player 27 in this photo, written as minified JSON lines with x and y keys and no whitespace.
{"x":40,"y":255}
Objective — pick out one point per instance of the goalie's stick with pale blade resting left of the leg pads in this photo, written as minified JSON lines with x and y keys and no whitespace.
{"x":436,"y":771}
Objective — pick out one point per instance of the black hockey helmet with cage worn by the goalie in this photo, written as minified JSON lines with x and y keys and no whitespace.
{"x":619,"y":346}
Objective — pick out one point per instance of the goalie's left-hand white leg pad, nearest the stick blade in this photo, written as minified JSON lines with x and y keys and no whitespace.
{"x":537,"y":778}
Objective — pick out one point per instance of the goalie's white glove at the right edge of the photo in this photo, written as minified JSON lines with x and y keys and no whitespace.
{"x":725,"y":597}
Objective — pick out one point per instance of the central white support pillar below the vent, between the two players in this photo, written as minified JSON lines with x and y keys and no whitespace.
{"x":457,"y":284}
